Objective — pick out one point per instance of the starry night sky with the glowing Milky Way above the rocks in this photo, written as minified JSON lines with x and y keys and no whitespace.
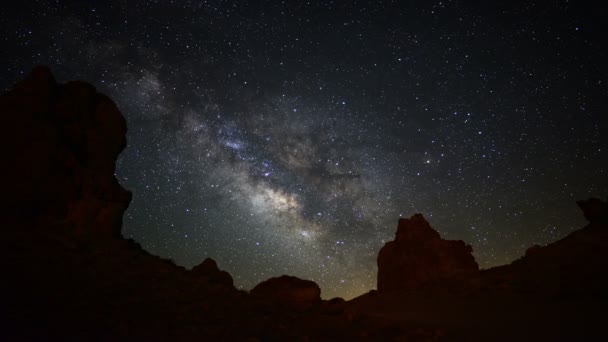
{"x":288,"y":137}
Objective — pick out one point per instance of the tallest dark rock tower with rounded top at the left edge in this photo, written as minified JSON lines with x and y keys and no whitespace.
{"x":61,"y":142}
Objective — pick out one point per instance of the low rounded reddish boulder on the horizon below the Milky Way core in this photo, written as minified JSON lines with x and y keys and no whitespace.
{"x":290,"y":291}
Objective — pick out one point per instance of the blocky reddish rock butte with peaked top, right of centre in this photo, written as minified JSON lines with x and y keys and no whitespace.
{"x":419,"y":257}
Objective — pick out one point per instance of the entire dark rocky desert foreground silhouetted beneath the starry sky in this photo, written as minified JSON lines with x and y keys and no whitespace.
{"x":69,"y":275}
